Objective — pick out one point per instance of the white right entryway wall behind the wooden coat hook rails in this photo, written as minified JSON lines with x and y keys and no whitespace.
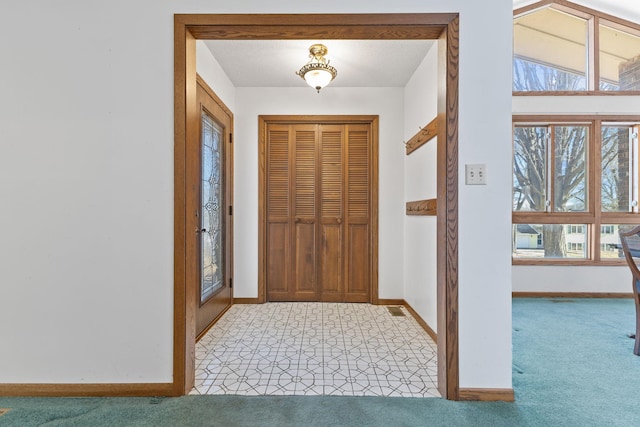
{"x":420,"y":107}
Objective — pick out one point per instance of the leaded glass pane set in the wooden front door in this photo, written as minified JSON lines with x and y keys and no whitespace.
{"x":211,"y":203}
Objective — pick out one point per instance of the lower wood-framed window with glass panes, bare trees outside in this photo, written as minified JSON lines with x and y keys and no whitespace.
{"x":575,"y":185}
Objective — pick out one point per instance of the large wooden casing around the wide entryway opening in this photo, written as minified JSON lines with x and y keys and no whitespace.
{"x":445,"y":28}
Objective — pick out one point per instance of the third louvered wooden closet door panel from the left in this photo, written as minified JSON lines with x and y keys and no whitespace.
{"x":331,"y":232}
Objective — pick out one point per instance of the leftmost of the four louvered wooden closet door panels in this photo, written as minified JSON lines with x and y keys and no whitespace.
{"x":278,"y":233}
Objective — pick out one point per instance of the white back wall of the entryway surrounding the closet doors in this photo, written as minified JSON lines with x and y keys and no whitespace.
{"x":385,"y":102}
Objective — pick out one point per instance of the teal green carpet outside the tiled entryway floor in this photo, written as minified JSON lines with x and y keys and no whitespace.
{"x":573,"y":366}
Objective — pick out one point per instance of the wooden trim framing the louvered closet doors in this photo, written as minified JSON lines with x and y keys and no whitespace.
{"x":263,"y":122}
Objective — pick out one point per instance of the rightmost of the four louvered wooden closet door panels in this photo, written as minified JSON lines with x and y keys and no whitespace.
{"x":358,"y":209}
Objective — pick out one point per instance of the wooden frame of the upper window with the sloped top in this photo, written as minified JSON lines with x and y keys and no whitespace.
{"x":594,"y":20}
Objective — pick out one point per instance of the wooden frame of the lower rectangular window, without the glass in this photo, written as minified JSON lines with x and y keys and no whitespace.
{"x":593,"y":217}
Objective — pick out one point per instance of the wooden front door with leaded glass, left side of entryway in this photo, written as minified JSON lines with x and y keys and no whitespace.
{"x":214,"y":230}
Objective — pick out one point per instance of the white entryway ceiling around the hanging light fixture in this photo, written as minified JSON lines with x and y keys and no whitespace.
{"x":360,"y":63}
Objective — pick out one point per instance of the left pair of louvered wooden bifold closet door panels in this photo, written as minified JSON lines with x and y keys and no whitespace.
{"x":291,"y":213}
